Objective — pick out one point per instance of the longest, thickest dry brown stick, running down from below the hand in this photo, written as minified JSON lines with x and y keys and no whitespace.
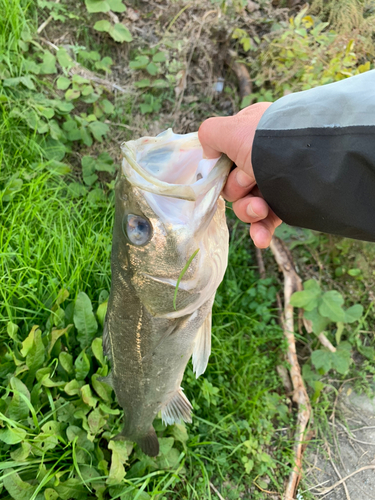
{"x":292,"y":283}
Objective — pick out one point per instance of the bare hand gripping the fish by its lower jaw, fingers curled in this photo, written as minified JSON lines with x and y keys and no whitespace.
{"x":234,"y":135}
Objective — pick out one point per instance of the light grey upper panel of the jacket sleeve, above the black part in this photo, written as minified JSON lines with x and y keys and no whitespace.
{"x":349,"y":102}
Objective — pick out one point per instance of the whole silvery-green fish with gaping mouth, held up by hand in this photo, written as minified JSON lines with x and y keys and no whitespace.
{"x":169,"y":255}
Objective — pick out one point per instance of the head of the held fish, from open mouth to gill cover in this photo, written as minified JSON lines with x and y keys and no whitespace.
{"x":167,"y":199}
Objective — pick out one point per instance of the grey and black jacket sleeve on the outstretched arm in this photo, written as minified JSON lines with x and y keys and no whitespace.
{"x":314,"y":157}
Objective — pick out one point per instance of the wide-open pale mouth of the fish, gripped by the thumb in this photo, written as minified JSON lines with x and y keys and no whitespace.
{"x":172,"y":165}
